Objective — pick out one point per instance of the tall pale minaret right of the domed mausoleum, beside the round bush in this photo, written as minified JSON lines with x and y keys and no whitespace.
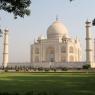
{"x":89,"y":47}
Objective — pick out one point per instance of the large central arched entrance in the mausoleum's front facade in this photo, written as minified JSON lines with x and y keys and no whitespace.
{"x":50,"y":54}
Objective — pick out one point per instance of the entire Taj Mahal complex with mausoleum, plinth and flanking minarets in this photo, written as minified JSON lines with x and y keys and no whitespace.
{"x":58,"y":49}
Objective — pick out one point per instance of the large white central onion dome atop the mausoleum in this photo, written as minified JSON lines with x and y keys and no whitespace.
{"x":56,"y":30}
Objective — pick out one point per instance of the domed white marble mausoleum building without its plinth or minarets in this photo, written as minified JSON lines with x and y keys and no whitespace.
{"x":58,"y":47}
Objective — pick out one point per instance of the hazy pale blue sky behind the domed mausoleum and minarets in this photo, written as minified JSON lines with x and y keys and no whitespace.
{"x":43,"y":13}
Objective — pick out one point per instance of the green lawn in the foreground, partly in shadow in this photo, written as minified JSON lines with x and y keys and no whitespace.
{"x":50,"y":83}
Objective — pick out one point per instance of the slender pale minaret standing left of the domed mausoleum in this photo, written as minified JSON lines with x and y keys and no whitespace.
{"x":5,"y":50}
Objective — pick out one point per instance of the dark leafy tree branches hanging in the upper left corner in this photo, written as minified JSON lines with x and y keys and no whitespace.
{"x":17,"y":7}
